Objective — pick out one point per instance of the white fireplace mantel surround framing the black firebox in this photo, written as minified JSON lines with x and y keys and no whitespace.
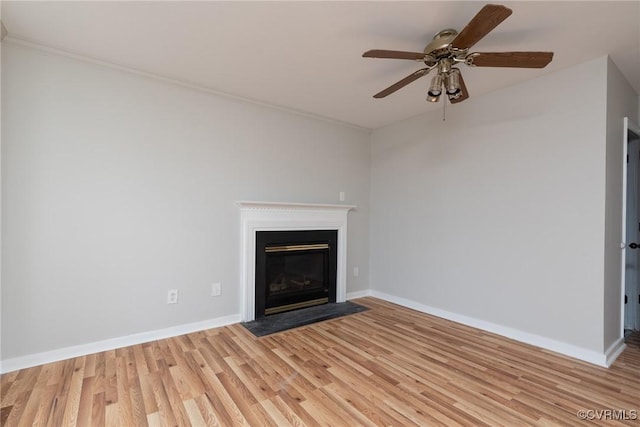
{"x":280,"y":216}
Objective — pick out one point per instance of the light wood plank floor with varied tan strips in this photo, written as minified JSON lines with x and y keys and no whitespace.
{"x":386,"y":366}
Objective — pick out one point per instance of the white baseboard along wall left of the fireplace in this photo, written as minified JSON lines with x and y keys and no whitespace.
{"x":36,"y":359}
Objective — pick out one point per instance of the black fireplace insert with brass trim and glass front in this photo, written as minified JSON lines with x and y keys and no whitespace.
{"x":294,"y":269}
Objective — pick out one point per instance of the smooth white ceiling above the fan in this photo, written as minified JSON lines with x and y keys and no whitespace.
{"x":306,"y":56}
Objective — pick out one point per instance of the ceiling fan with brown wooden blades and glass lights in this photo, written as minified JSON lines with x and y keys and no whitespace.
{"x":449,"y":47}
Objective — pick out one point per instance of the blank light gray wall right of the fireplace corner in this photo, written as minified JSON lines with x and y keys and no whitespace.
{"x":498,"y":213}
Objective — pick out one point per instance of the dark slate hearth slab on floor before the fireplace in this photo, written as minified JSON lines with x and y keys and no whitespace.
{"x":305,"y":316}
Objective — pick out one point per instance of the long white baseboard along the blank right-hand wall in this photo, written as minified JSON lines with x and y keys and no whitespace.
{"x":586,"y":355}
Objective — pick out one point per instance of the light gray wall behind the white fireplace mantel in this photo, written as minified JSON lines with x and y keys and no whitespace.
{"x":117,"y":188}
